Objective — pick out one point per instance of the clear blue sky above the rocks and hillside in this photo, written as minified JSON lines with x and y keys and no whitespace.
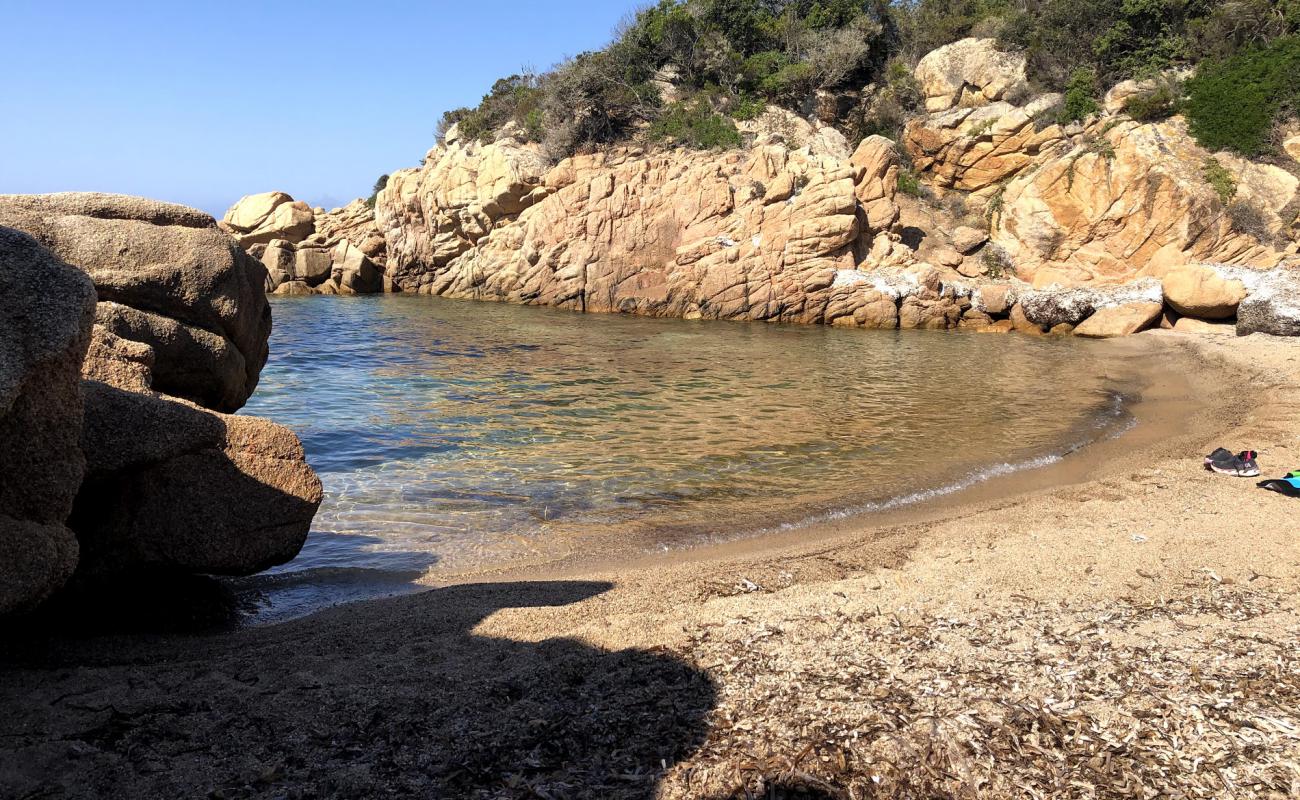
{"x":202,"y":102}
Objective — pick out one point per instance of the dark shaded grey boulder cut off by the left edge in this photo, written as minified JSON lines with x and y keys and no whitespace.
{"x":46,"y":314}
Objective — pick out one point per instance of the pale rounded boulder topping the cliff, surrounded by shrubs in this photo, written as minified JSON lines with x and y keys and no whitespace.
{"x":968,"y":73}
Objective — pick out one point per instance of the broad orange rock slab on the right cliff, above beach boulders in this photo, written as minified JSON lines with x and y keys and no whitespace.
{"x":1125,"y":200}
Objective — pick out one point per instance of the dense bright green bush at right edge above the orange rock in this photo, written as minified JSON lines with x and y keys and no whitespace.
{"x":1233,"y":105}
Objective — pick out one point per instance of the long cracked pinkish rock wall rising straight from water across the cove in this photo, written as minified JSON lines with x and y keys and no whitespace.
{"x":761,"y":235}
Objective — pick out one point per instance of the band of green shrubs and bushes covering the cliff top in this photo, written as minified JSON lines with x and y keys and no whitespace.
{"x":686,"y":71}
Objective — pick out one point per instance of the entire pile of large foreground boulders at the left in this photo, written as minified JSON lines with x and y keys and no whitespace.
{"x":127,"y":328}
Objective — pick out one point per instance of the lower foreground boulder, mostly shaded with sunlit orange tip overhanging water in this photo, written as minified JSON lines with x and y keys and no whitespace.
{"x":174,"y":487}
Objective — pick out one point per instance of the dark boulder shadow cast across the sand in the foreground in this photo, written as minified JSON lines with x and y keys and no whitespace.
{"x":397,"y":697}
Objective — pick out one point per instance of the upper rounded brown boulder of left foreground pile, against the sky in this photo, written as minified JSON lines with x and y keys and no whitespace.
{"x":168,"y":278}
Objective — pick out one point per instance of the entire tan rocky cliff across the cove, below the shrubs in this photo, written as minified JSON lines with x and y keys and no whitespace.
{"x":799,"y":227}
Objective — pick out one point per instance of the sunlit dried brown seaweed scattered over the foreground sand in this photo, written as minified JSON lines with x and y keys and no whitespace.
{"x":1173,"y":699}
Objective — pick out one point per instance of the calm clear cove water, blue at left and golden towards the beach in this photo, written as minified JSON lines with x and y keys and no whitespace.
{"x":456,"y":436}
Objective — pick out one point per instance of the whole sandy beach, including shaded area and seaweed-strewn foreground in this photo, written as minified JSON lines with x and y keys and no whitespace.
{"x":1119,"y":622}
